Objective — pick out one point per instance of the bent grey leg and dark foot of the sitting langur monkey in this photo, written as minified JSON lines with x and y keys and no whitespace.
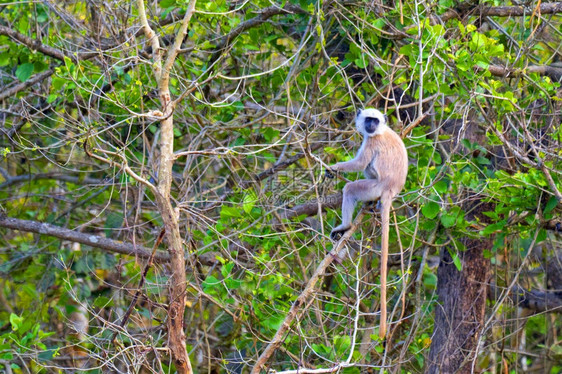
{"x":362,"y":190}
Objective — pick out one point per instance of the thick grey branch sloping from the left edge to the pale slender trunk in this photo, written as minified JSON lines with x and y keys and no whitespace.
{"x":108,"y":245}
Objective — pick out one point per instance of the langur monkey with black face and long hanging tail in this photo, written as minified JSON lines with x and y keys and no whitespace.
{"x":384,"y":161}
